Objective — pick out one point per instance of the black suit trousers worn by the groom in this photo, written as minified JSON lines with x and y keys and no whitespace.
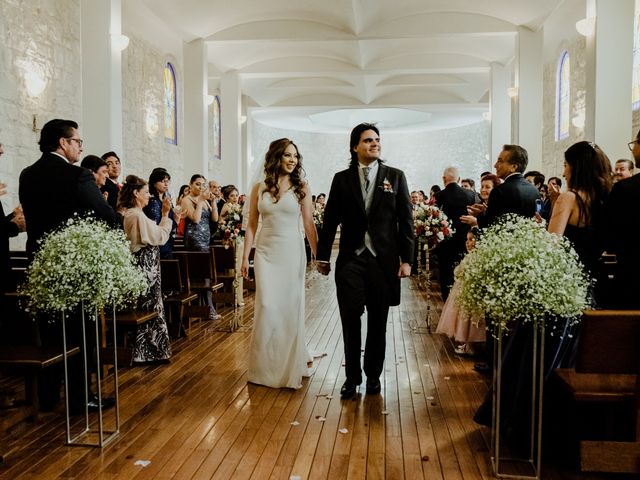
{"x":361,"y":283}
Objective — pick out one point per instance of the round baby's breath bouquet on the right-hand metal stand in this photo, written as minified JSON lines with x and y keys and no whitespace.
{"x":520,"y":272}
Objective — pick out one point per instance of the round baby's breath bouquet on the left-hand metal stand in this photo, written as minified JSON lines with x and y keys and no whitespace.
{"x":86,"y":262}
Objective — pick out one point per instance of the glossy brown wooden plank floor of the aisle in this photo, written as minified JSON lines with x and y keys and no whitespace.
{"x":198,"y":418}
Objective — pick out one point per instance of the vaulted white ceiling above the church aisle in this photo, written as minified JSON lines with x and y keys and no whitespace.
{"x":299,"y":58}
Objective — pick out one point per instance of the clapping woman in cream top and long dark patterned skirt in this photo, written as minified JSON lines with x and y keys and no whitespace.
{"x":152,"y":337}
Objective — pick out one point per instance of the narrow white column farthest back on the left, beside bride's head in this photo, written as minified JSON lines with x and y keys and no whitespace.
{"x":230,"y":125}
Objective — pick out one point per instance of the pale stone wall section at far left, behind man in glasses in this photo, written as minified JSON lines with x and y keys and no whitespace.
{"x":41,"y":37}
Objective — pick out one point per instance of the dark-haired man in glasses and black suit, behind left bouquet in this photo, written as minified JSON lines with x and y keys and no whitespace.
{"x":76,"y":192}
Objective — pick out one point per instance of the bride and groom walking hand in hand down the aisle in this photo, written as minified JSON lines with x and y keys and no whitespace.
{"x":370,"y":201}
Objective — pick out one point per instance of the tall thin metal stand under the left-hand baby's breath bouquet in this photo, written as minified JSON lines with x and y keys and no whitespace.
{"x":91,"y":437}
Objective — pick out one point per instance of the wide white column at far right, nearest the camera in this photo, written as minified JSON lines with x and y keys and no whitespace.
{"x":610,"y":95}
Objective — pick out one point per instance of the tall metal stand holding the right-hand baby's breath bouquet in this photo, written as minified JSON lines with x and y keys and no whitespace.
{"x":517,"y":453}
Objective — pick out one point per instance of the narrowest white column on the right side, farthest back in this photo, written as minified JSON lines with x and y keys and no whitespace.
{"x":500,"y":110}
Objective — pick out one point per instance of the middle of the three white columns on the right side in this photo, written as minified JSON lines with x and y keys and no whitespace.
{"x":529,"y":71}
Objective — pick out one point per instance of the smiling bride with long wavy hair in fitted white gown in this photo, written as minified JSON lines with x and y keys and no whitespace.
{"x":279,"y":355}
